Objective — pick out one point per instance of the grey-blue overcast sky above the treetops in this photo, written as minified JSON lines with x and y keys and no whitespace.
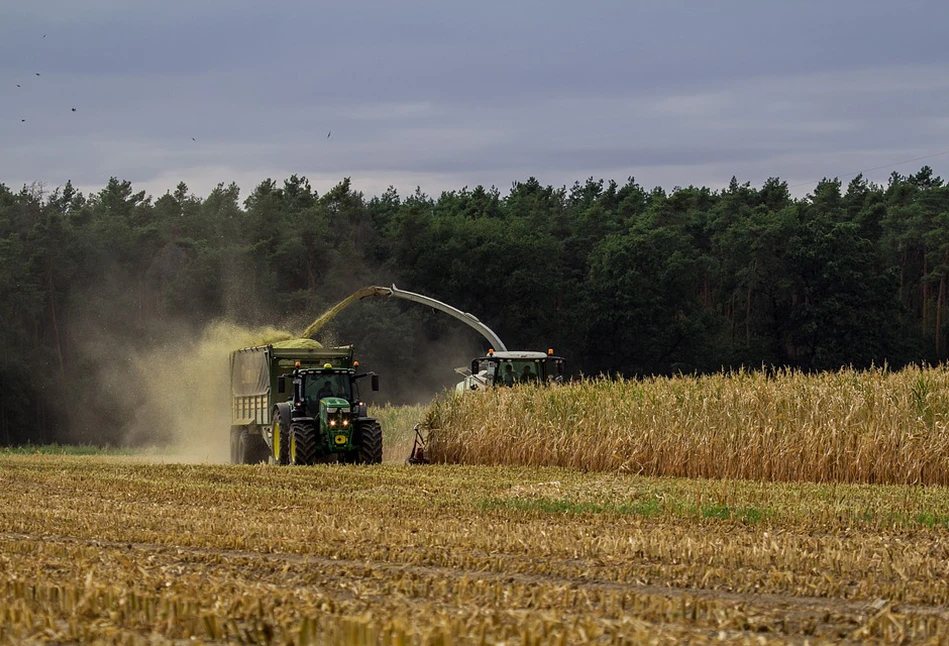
{"x":444,"y":95}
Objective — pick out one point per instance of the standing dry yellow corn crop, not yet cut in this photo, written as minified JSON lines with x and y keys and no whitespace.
{"x":876,"y":426}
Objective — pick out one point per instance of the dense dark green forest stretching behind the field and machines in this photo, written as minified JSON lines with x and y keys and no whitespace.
{"x":619,"y":279}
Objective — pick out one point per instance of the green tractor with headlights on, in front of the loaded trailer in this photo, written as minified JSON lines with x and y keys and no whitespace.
{"x":324,"y":421}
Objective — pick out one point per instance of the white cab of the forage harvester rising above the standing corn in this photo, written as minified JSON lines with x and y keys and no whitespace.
{"x":510,"y":368}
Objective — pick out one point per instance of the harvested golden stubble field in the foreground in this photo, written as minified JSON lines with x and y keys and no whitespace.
{"x":106,"y":548}
